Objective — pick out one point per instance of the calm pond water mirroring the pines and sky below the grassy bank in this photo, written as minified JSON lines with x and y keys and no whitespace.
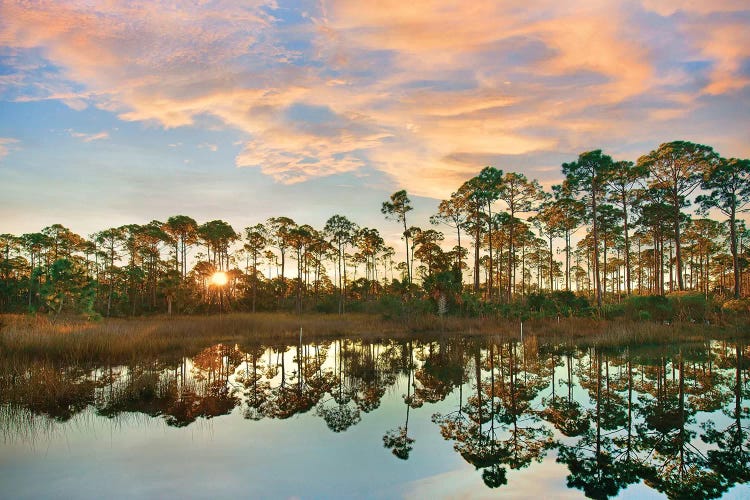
{"x":450,"y":417}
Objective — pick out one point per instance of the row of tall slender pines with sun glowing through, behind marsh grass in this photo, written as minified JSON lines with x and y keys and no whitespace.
{"x":613,"y":238}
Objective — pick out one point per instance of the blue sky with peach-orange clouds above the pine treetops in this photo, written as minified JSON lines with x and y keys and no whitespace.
{"x":114,"y":113}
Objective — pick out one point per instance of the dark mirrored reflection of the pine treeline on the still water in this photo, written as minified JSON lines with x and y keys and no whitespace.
{"x":637,"y":420}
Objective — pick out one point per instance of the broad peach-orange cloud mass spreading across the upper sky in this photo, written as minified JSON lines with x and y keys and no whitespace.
{"x":419,"y":90}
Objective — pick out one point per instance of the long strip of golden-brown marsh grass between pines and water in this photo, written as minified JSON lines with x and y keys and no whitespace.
{"x":122,"y":340}
